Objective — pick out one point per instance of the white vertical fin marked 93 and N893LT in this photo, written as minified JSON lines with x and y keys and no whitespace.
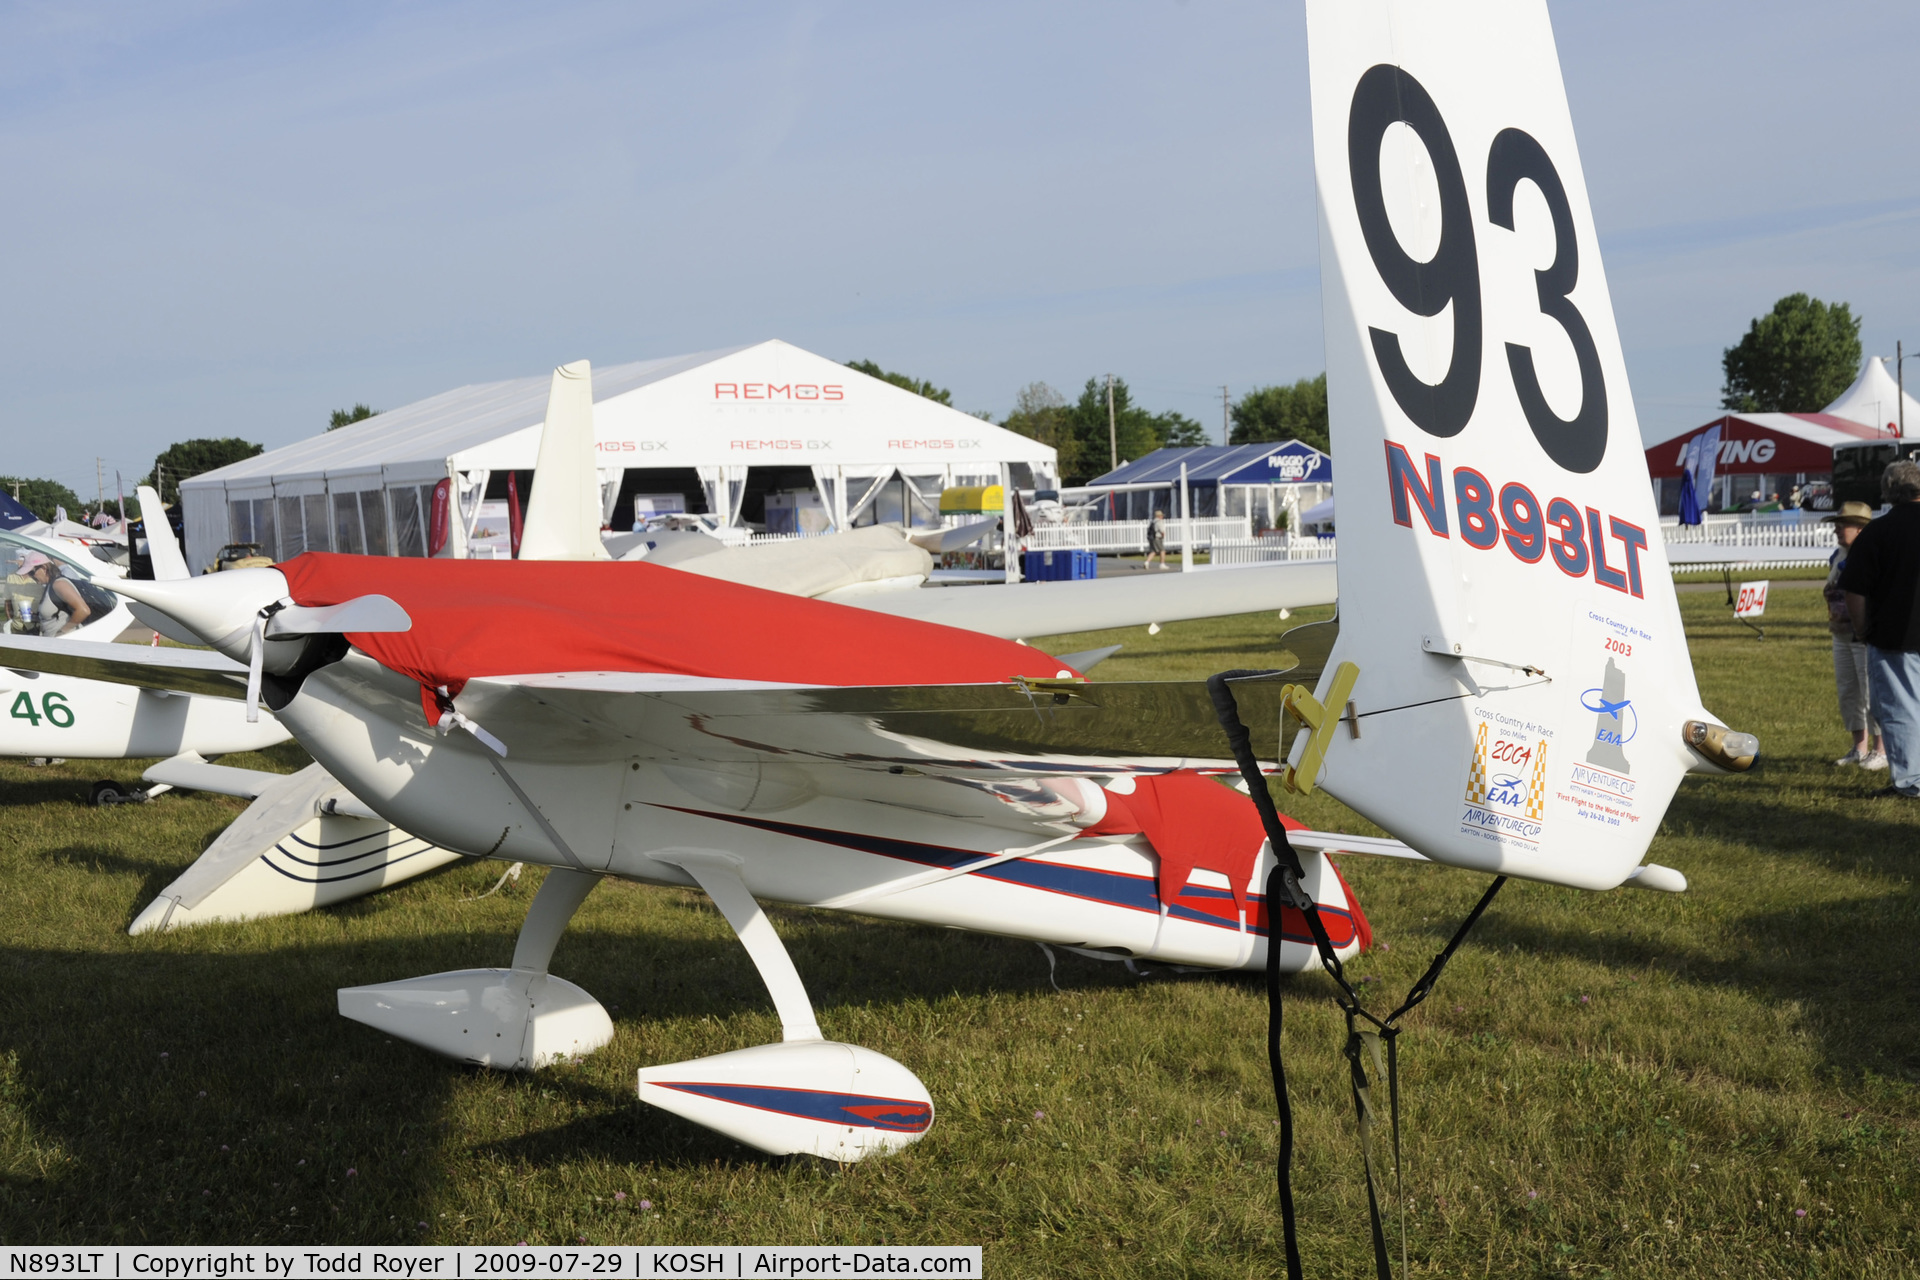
{"x":1504,"y":590}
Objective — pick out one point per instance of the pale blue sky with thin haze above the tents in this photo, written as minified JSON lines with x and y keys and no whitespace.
{"x":229,"y":220}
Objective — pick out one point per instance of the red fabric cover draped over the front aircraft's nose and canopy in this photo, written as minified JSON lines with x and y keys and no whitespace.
{"x":529,"y":617}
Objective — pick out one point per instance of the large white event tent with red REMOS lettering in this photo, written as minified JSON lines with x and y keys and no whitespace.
{"x":763,"y":435}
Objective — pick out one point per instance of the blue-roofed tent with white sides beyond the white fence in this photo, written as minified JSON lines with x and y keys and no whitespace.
{"x":1222,"y":481}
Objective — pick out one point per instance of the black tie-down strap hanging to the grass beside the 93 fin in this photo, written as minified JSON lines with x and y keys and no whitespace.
{"x":1366,"y":1035}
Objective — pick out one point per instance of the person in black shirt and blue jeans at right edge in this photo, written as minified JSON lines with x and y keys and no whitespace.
{"x":1883,"y":588}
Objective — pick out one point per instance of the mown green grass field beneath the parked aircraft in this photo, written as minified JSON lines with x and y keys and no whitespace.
{"x":1606,"y":1085}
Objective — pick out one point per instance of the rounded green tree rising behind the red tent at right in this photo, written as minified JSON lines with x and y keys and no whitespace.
{"x":1794,"y":360}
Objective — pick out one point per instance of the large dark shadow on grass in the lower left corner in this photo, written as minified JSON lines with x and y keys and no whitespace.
{"x":178,"y":1097}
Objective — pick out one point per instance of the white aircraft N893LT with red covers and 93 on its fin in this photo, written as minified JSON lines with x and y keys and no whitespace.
{"x":1510,"y":690}
